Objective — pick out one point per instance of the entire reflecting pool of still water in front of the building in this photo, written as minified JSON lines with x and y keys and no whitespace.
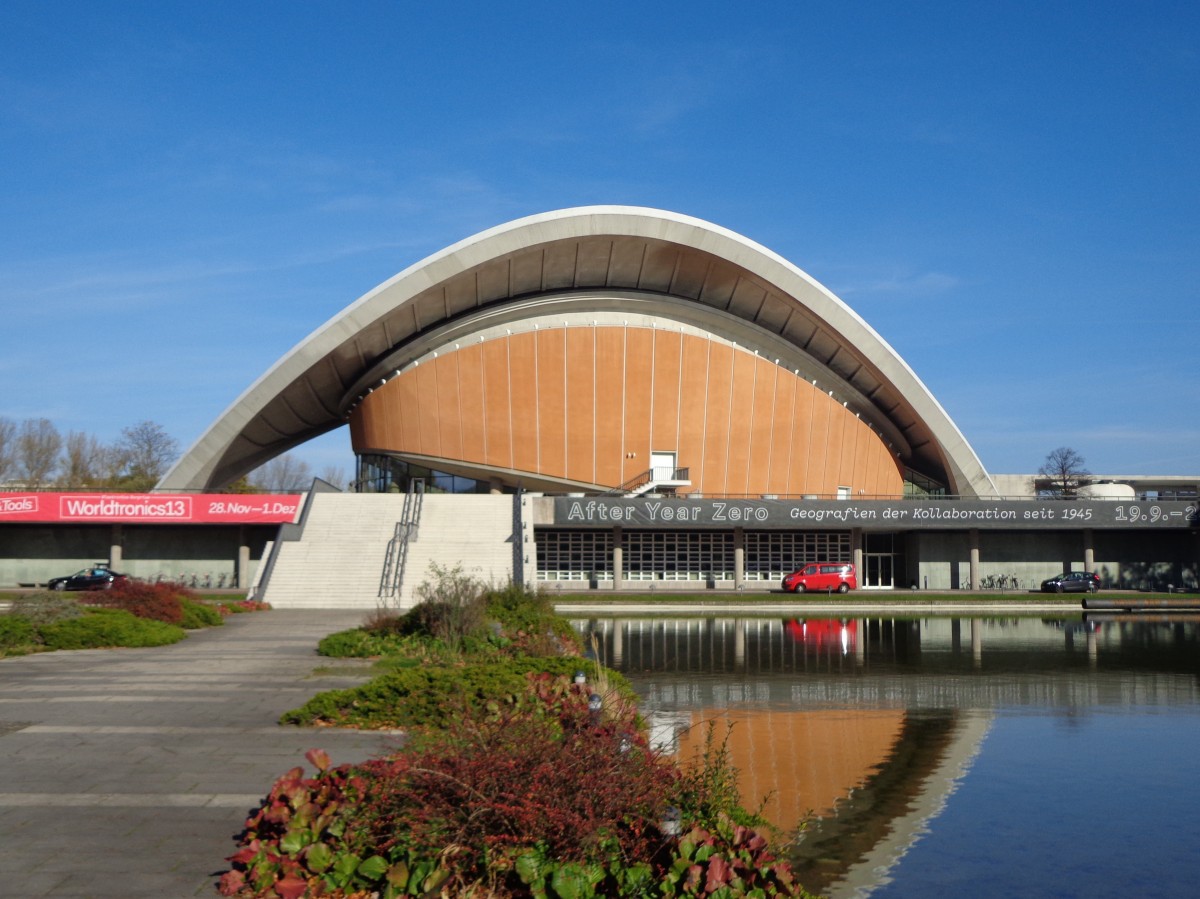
{"x":953,"y":757}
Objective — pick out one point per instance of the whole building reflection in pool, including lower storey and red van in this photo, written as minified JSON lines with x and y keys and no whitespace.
{"x":869,"y":723}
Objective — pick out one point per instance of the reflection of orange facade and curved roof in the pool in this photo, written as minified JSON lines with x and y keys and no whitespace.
{"x":850,"y":789}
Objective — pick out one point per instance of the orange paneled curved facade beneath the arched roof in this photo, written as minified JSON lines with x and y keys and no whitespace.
{"x":587,"y":406}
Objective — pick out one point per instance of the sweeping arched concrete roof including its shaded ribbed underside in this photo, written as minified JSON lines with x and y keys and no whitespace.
{"x":680,"y":267}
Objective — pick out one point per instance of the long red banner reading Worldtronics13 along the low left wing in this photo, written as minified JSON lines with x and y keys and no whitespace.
{"x":152,"y":508}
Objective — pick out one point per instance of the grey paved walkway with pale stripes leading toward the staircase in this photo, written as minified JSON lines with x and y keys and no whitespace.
{"x":129,"y":772}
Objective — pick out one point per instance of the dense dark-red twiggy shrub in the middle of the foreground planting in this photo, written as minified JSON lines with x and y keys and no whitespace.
{"x":536,"y":783}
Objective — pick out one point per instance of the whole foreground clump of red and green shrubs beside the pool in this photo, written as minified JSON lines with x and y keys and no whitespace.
{"x":544,"y":799}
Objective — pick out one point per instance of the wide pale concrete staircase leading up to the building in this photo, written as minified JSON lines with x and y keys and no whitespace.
{"x":339,"y":560}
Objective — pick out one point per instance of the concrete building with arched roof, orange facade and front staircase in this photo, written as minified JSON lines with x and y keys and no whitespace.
{"x":645,"y":399}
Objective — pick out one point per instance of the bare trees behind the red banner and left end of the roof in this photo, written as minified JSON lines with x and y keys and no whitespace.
{"x":35,"y":456}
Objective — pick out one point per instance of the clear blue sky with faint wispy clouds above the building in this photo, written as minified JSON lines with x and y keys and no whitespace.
{"x":1009,"y":193}
